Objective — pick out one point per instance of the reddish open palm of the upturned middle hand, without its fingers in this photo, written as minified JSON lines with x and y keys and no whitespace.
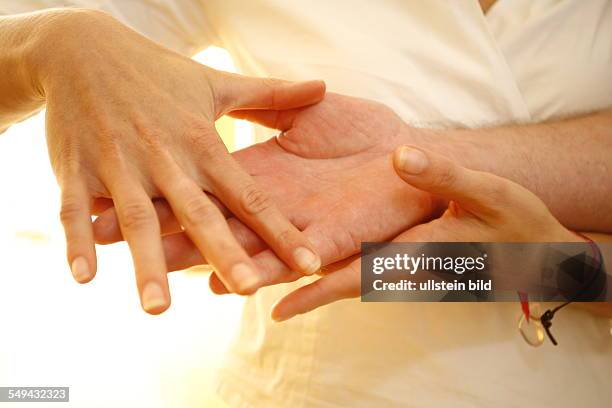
{"x":331,"y":174}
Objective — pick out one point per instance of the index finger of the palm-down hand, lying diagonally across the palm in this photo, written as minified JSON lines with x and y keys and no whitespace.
{"x":253,"y":206}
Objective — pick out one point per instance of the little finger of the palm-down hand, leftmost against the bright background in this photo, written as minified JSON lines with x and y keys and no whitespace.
{"x":76,"y":219}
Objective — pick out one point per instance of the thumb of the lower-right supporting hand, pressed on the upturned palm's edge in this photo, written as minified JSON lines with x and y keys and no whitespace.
{"x":478,"y":192}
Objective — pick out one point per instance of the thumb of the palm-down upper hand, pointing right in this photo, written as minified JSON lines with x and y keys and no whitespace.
{"x":241,"y":92}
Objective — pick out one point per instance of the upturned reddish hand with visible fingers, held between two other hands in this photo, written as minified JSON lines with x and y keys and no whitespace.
{"x":330,"y":171}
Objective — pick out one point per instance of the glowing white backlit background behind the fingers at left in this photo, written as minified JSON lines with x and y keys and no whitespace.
{"x":95,"y":338}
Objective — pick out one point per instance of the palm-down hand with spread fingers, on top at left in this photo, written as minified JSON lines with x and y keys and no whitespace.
{"x":130,"y":120}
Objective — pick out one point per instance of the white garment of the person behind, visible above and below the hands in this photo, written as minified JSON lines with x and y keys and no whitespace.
{"x":437,"y":63}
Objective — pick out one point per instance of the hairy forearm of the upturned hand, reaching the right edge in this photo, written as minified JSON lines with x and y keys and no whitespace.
{"x":567,"y":163}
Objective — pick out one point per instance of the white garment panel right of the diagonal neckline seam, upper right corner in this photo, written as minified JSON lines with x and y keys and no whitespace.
{"x":560,"y":53}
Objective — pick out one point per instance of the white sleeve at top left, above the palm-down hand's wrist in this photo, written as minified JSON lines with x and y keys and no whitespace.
{"x":180,"y":25}
